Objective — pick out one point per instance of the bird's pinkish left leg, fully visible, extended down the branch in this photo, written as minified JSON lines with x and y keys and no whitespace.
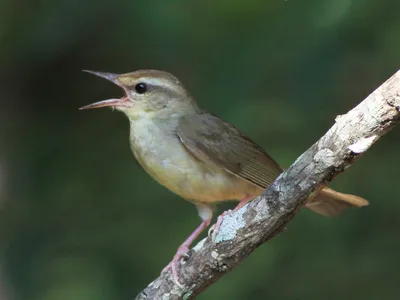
{"x":205,"y":213}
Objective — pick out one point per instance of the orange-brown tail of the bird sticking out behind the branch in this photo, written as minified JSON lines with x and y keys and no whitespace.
{"x":330,"y":203}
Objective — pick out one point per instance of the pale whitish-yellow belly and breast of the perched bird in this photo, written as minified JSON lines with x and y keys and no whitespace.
{"x":168,"y":162}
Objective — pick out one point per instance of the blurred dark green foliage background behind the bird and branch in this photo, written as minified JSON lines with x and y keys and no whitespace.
{"x":80,"y":220}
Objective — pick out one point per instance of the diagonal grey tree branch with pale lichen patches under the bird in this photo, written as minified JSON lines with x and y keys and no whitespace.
{"x":263,"y":218}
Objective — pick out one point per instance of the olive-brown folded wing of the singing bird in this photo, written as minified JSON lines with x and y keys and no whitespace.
{"x":216,"y":142}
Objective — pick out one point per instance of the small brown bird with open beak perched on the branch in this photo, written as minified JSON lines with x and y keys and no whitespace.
{"x":194,"y":153}
